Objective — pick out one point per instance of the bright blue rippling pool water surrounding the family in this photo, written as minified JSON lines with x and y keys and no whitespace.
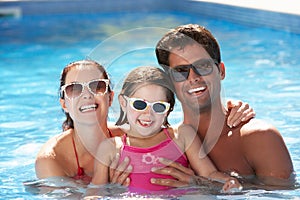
{"x":262,"y":69}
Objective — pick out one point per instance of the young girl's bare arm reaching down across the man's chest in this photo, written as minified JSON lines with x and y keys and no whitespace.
{"x":201,"y":163}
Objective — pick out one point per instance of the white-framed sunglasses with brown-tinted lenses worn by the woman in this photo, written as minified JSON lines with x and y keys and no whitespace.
{"x":75,"y":90}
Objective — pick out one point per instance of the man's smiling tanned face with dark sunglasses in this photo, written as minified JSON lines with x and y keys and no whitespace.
{"x":196,"y":92}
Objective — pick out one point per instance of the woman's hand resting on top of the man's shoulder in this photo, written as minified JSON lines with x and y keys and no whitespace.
{"x":238,"y":112}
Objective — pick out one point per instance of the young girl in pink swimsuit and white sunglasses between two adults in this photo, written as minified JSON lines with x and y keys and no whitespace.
{"x":146,"y":100}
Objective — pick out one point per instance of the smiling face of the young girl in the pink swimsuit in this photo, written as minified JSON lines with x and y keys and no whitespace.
{"x":145,"y":123}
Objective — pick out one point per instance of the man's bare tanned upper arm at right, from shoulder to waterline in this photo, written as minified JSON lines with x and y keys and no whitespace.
{"x":267,"y":153}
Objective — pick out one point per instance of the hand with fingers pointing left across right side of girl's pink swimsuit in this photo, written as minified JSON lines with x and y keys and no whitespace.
{"x":183,"y":176}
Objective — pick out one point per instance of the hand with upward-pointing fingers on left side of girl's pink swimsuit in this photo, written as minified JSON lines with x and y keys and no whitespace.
{"x":119,"y":173}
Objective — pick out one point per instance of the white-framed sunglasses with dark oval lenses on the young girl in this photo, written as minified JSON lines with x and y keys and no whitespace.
{"x":159,"y":107}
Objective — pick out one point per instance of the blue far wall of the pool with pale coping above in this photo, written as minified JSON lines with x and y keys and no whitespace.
{"x":232,"y":10}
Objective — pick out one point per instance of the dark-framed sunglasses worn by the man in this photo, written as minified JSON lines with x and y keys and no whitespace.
{"x":201,"y":67}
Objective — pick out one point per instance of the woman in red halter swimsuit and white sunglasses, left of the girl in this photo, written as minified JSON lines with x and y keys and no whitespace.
{"x":85,"y":97}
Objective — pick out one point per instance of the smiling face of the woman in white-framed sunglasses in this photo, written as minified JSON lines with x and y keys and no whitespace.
{"x":86,"y":108}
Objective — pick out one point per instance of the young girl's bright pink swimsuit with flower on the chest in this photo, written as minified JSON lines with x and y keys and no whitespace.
{"x":143,"y":159}
